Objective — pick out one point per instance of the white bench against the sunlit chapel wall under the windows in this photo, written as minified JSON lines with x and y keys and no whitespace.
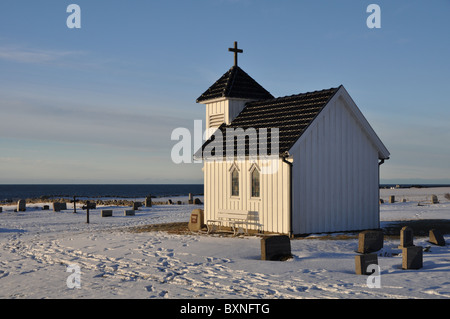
{"x":237,"y":219}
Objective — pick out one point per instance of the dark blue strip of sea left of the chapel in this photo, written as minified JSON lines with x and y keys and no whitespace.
{"x":22,"y":191}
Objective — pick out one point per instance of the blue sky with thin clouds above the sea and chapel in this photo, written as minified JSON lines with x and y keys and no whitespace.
{"x":98,"y":104}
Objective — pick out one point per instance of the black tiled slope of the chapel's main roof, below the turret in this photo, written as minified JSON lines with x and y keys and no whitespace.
{"x":290,"y":114}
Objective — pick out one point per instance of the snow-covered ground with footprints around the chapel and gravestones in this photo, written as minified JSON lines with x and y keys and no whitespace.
{"x":37,"y":248}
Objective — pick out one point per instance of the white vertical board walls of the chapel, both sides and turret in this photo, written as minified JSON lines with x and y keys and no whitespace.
{"x":335,"y":177}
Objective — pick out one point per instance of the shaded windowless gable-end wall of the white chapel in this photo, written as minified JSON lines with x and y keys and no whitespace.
{"x":335,"y":175}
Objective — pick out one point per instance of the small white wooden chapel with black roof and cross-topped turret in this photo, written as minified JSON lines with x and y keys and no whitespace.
{"x":328,"y":158}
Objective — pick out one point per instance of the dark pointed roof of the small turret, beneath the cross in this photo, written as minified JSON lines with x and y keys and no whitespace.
{"x":238,"y":84}
